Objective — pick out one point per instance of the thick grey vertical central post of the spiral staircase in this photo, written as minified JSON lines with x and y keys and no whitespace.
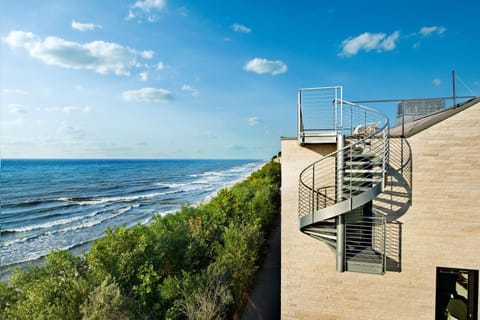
{"x":340,"y":220}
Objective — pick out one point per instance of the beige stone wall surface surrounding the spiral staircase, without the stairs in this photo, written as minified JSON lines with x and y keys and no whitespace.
{"x":441,"y":228}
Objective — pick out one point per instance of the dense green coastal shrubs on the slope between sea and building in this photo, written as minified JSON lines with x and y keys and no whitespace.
{"x":198,"y":263}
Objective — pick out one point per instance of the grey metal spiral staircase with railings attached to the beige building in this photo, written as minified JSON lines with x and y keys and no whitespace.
{"x":336,"y":192}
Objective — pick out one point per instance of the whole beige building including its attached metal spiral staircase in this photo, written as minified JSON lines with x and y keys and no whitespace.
{"x":376,"y":224}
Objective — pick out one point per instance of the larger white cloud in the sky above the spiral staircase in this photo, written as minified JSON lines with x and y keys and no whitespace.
{"x":369,"y":41}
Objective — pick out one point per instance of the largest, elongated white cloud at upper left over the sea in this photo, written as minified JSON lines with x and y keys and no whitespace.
{"x":99,"y":56}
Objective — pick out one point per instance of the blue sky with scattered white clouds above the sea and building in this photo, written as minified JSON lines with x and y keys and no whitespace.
{"x":212,"y":79}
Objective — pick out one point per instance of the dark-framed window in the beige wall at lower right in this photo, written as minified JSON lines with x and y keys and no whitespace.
{"x":456,"y":294}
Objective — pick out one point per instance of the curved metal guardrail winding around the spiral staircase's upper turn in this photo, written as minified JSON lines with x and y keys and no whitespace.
{"x":367,"y":132}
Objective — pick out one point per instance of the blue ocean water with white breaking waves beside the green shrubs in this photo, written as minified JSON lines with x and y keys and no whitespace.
{"x":66,"y":204}
